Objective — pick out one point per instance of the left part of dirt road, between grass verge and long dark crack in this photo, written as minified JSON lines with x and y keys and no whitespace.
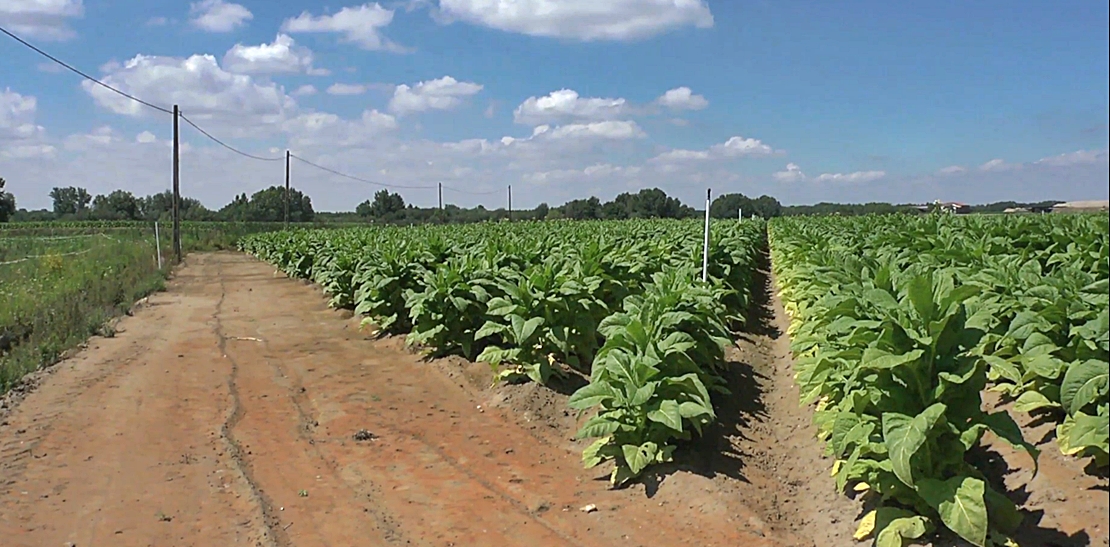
{"x":127,"y":449}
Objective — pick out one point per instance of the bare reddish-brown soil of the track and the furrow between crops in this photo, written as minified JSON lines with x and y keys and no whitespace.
{"x":236,"y":409}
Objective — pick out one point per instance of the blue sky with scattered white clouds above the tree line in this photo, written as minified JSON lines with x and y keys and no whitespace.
{"x":806,"y":102}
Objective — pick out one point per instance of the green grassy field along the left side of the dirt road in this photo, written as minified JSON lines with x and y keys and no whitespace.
{"x":62,"y":283}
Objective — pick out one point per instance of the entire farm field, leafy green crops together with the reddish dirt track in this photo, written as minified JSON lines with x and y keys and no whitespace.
{"x":550,"y":362}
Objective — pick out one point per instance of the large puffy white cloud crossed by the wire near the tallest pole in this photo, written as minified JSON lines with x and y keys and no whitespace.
{"x":199,"y":86}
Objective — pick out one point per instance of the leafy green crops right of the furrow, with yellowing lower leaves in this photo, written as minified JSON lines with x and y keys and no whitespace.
{"x":899,"y":325}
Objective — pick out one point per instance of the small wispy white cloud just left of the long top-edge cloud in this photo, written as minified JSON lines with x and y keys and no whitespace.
{"x":360,"y":26}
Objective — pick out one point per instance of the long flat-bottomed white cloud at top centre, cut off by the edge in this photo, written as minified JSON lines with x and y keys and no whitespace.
{"x":587,"y":21}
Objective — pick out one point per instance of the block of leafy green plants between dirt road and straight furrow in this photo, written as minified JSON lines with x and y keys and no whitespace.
{"x":620,"y":301}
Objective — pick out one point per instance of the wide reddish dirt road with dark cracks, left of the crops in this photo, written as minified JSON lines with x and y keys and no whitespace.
{"x":225,"y":413}
